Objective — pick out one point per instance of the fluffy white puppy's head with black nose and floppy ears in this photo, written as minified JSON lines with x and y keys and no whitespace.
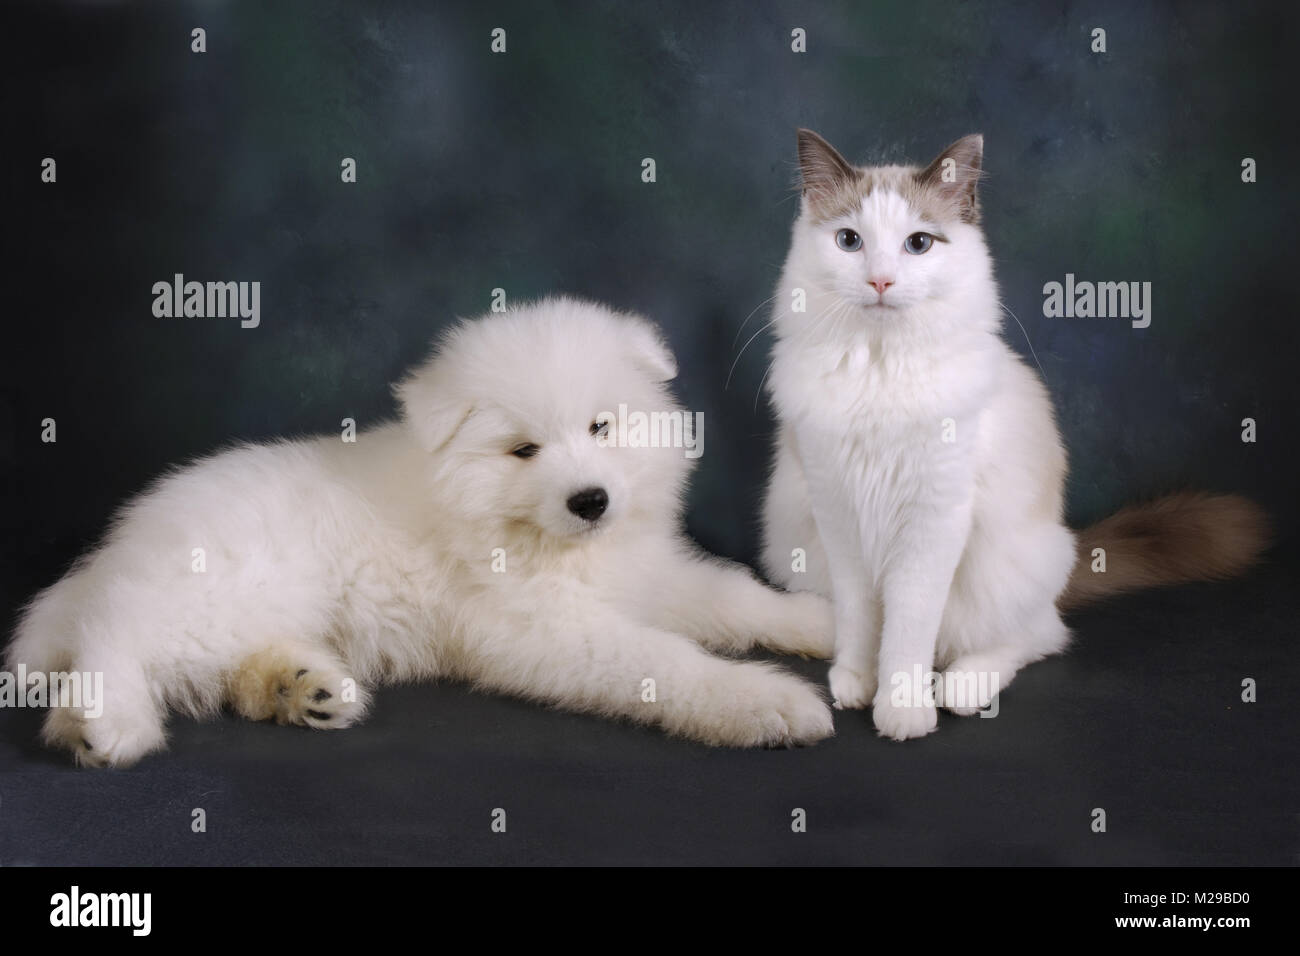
{"x":514,"y":412}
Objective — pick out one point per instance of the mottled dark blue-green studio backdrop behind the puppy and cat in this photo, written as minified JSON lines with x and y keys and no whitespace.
{"x":522,"y":171}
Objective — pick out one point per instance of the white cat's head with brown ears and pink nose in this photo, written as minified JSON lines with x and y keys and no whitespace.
{"x":889,"y":245}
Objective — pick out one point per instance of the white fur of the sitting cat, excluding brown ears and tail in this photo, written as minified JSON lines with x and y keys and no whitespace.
{"x":937,"y":555}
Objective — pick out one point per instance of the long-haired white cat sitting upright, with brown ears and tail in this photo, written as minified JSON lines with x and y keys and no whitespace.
{"x":920,"y":471}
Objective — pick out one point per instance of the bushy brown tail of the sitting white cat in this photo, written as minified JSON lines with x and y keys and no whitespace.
{"x":1182,"y":538}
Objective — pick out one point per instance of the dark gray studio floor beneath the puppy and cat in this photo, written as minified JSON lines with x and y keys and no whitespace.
{"x":1143,"y":720}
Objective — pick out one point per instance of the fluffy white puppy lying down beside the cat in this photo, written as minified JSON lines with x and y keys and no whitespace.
{"x":493,"y":534}
